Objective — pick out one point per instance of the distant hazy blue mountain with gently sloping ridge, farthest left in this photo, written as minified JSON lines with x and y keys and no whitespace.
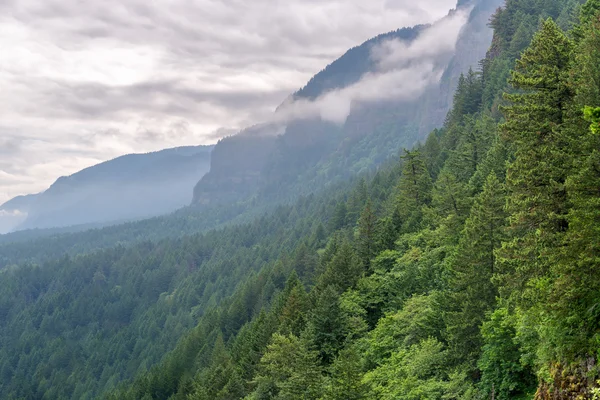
{"x":129,"y":187}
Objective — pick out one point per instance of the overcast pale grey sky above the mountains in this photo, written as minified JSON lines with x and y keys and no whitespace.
{"x":85,"y":82}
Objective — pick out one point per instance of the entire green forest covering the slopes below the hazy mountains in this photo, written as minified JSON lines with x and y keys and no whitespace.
{"x":467,"y":267}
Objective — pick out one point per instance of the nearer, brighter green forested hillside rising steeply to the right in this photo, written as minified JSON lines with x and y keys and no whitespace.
{"x":475,"y":278}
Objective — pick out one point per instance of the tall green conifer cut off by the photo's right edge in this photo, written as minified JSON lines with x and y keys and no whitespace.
{"x":576,"y":290}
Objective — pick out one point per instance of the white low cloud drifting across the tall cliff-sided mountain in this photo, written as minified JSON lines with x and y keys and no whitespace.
{"x":404,"y":71}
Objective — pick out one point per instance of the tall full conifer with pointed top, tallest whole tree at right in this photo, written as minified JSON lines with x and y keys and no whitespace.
{"x":535,"y":179}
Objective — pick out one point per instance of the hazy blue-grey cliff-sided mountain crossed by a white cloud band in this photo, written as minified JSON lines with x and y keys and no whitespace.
{"x":275,"y":163}
